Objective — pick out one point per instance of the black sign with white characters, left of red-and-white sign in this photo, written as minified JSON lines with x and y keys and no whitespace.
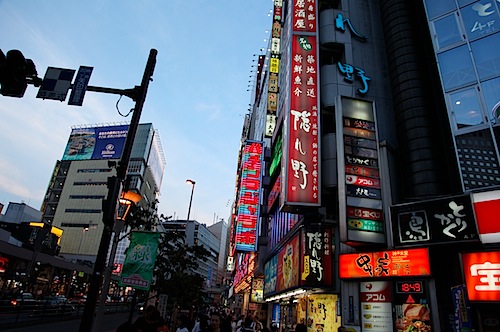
{"x":441,"y":220}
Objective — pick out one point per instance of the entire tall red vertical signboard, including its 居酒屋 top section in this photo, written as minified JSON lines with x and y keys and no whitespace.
{"x":301,"y":185}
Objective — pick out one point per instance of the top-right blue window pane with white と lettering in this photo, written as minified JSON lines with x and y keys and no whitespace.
{"x":480,"y":19}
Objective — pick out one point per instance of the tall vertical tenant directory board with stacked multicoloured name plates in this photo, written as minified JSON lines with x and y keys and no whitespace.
{"x":360,"y":195}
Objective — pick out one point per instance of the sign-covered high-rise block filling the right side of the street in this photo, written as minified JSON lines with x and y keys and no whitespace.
{"x":368,"y":173}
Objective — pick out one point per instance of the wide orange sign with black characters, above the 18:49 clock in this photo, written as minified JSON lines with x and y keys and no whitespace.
{"x":389,"y":263}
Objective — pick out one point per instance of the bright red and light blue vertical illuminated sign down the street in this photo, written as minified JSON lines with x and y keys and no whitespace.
{"x":249,"y":196}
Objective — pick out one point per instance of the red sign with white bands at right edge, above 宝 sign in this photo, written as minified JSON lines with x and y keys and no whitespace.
{"x":486,"y":207}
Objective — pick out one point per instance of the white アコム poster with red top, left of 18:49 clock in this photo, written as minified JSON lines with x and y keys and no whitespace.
{"x":376,"y":306}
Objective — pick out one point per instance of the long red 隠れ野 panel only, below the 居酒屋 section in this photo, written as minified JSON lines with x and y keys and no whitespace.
{"x":302,"y":184}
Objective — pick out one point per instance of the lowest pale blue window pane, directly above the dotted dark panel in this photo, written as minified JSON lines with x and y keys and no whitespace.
{"x":466,"y":108}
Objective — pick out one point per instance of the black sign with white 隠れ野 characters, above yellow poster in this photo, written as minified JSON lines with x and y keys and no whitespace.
{"x":316,"y":256}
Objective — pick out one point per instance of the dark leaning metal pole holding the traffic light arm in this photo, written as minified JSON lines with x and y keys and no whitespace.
{"x":113,"y":194}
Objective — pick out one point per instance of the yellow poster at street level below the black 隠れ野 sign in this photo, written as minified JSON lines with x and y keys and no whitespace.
{"x":321,"y":313}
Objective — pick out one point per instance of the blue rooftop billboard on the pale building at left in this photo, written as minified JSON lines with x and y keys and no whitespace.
{"x":95,"y":143}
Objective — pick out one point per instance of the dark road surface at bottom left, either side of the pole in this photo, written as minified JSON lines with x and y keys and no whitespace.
{"x":110,"y":323}
